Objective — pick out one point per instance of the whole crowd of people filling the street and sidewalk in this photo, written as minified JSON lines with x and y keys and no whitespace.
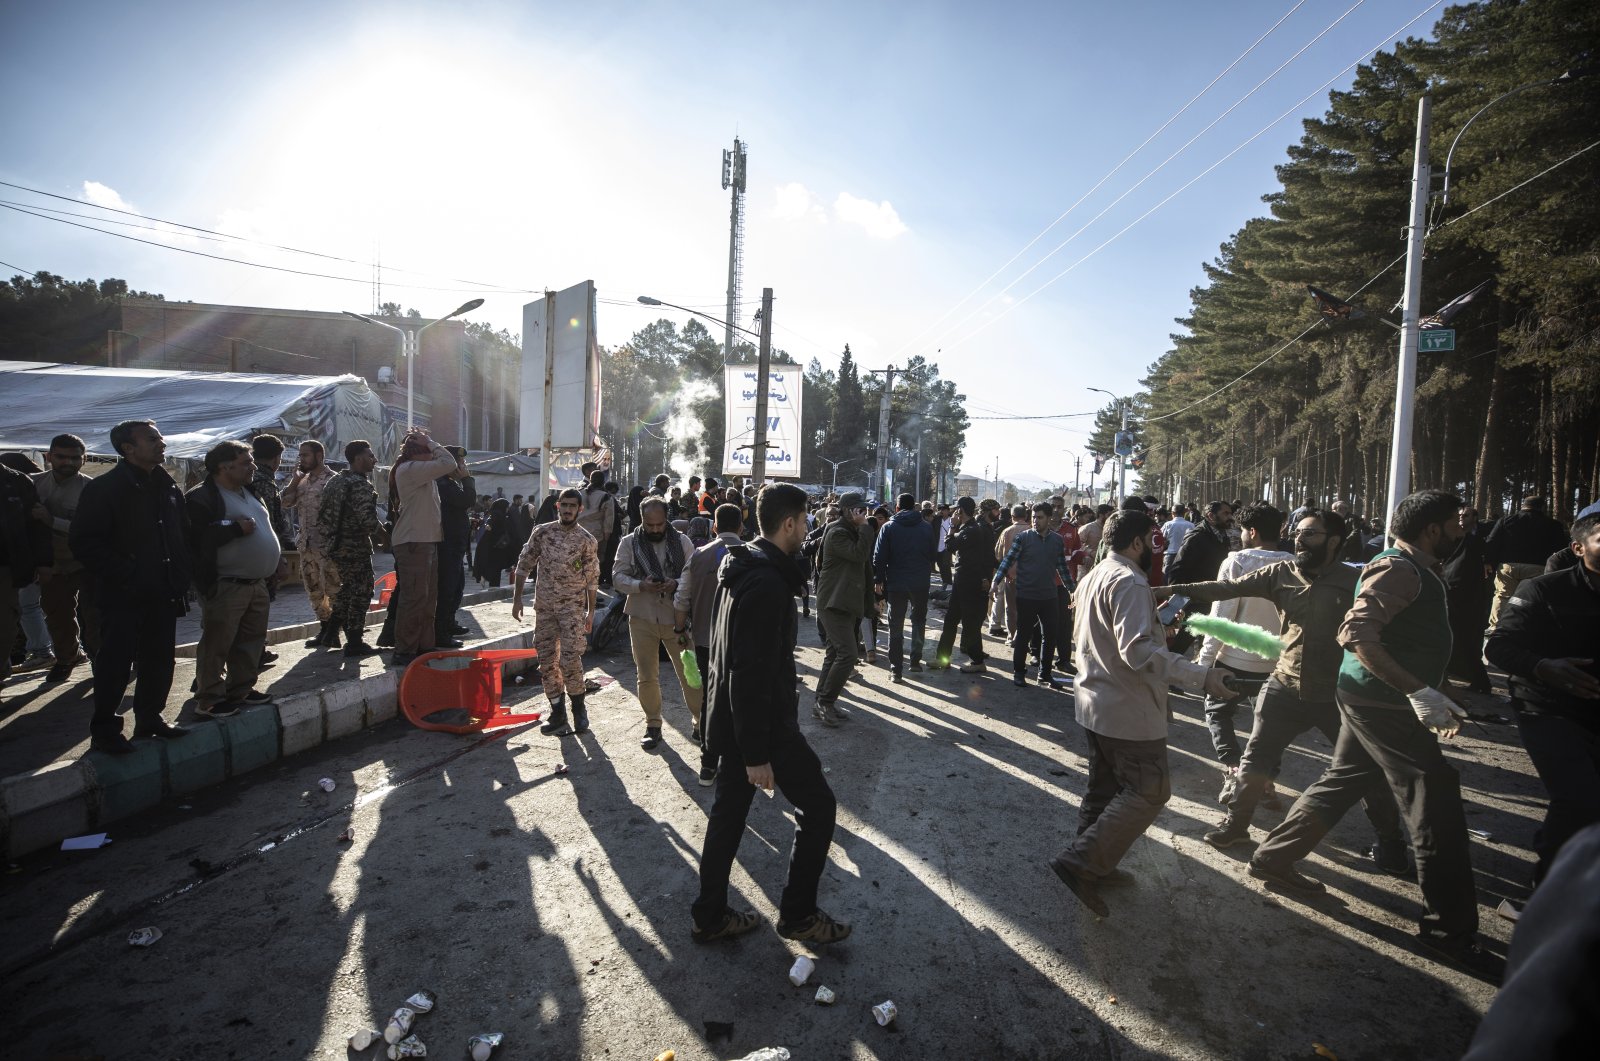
{"x":1369,"y":625}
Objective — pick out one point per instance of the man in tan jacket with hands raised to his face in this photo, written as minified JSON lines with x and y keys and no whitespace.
{"x":415,"y":540}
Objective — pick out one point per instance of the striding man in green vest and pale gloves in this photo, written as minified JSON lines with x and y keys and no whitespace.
{"x":1396,"y":644}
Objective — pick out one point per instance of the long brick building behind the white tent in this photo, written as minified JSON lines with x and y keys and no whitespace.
{"x":466,"y":388}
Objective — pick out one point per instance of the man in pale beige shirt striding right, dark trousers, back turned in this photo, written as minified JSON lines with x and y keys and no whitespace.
{"x":1121,"y":702}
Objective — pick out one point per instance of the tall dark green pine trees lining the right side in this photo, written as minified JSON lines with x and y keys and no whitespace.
{"x":1513,"y":412}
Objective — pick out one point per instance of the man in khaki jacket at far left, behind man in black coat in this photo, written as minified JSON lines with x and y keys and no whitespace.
{"x":65,"y":593}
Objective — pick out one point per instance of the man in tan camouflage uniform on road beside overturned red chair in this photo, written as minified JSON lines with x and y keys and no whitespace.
{"x":566,"y":561}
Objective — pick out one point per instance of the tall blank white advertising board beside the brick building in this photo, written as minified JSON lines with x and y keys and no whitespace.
{"x":561,"y":370}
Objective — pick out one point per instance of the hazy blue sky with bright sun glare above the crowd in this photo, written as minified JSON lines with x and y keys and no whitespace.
{"x":903,"y":156}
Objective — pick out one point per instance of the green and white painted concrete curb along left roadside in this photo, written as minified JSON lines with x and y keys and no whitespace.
{"x":66,"y":799}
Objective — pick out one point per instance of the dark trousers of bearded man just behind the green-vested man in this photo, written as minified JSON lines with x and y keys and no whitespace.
{"x":1281,"y":718}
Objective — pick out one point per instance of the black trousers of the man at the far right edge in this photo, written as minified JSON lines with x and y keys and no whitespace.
{"x":1567,"y":756}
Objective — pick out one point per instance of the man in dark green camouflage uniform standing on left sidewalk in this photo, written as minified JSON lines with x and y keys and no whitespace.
{"x":348,"y":526}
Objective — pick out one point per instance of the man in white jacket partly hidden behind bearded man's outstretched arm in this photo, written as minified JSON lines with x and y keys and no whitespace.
{"x":1260,"y":529}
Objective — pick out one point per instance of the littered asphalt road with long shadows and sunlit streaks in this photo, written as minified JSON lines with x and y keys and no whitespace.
{"x":554,"y":908}
